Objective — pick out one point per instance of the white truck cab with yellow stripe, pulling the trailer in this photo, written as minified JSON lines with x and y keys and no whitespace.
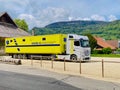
{"x":77,"y":48}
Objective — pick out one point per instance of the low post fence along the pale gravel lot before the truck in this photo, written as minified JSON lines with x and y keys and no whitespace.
{"x":100,"y":68}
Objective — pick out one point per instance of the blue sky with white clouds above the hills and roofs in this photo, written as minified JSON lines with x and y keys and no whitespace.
{"x":39,"y":13}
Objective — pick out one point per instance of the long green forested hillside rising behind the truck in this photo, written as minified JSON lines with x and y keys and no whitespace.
{"x":107,"y":30}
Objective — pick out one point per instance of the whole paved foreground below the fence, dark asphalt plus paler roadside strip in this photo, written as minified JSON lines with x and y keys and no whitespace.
{"x":14,"y":77}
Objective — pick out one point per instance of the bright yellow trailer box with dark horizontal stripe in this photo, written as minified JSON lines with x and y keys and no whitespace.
{"x":43,"y":44}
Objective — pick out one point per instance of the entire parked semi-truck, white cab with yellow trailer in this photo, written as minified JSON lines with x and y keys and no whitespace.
{"x":69,"y":46}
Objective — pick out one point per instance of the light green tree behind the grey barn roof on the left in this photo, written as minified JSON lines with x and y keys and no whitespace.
{"x":21,"y":24}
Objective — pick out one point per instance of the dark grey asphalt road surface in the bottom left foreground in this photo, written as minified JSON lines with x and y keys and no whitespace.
{"x":15,"y":81}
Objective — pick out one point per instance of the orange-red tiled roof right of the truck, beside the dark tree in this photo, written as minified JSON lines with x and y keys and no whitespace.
{"x":101,"y":42}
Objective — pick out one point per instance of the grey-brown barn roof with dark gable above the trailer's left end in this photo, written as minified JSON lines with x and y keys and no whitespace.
{"x":8,"y":28}
